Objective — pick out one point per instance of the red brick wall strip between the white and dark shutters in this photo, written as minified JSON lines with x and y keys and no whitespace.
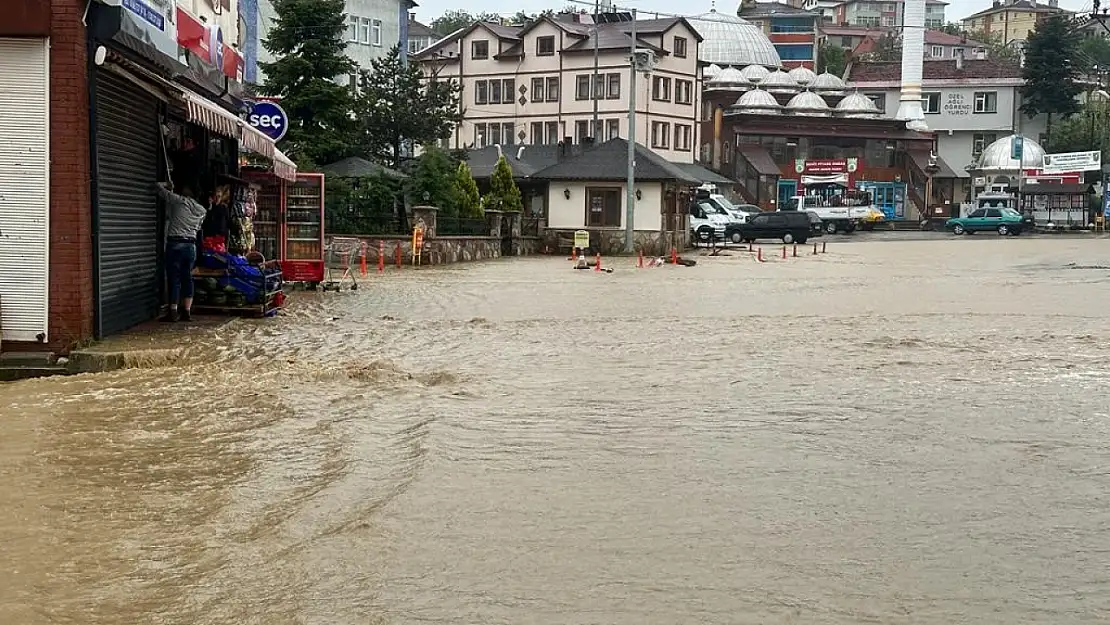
{"x":72,"y":296}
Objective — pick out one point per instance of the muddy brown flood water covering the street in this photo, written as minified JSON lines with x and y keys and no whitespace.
{"x":891,"y":434}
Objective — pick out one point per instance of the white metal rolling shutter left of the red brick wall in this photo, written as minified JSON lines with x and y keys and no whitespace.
{"x":25,"y":185}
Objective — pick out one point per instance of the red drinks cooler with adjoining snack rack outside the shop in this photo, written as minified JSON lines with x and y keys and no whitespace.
{"x":289,"y":225}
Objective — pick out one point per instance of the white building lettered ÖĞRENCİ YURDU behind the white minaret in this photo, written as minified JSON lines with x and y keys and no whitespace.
{"x":968,"y":105}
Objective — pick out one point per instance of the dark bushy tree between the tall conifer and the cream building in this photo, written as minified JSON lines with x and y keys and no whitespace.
{"x":398,"y":108}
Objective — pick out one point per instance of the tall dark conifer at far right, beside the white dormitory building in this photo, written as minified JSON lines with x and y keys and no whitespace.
{"x":1050,"y":72}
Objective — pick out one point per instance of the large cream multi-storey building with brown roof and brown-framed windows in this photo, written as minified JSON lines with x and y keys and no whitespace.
{"x":534,"y":85}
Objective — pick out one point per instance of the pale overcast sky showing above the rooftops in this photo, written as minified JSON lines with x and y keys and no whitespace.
{"x":431,"y":9}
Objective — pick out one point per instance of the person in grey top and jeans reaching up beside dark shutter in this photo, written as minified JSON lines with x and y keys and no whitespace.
{"x":184,"y":218}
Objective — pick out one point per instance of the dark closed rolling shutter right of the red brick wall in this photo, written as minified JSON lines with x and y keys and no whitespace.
{"x":127,"y":220}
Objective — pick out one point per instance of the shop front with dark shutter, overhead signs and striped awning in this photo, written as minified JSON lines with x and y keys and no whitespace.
{"x":149,"y":128}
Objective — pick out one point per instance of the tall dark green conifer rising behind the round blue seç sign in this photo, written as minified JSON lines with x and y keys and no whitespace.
{"x":308,"y":41}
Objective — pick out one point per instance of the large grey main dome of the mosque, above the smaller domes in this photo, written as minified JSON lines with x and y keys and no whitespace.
{"x":729,"y":41}
